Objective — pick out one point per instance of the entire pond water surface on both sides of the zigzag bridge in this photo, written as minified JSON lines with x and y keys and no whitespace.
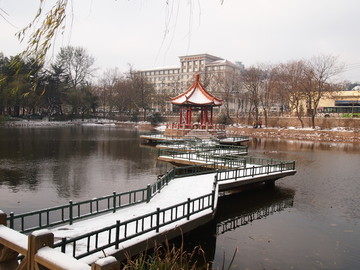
{"x":308,"y":221}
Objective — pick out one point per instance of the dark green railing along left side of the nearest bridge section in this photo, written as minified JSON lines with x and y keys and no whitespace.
{"x":67,"y":214}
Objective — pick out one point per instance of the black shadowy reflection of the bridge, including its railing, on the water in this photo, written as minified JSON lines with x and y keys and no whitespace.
{"x":238,"y":210}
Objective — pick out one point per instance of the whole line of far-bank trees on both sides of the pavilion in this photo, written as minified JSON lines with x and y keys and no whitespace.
{"x":65,"y":89}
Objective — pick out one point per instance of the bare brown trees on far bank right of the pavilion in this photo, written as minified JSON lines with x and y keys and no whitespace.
{"x":295,"y":87}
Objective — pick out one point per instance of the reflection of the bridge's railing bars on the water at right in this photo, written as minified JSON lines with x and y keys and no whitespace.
{"x":233,"y":223}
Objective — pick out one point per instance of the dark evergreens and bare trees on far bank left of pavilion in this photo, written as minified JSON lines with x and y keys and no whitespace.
{"x":65,"y":90}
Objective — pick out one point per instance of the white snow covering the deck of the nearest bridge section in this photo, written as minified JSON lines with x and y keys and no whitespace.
{"x":177,"y":191}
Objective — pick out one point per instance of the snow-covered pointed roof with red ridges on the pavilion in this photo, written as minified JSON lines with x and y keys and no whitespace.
{"x":196,"y":95}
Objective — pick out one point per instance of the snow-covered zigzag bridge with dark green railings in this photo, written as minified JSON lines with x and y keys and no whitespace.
{"x":80,"y":233}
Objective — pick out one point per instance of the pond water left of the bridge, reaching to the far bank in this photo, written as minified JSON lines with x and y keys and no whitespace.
{"x":60,"y":163}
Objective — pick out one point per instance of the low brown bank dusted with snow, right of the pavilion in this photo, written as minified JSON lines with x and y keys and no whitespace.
{"x":335,"y":136}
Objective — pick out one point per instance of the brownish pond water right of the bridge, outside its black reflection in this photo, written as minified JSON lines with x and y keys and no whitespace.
{"x":319,"y":231}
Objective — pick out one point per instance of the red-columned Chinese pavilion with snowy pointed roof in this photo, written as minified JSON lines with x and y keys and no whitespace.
{"x":195,"y":99}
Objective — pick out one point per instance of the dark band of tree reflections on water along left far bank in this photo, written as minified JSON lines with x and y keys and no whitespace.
{"x":66,"y":142}
